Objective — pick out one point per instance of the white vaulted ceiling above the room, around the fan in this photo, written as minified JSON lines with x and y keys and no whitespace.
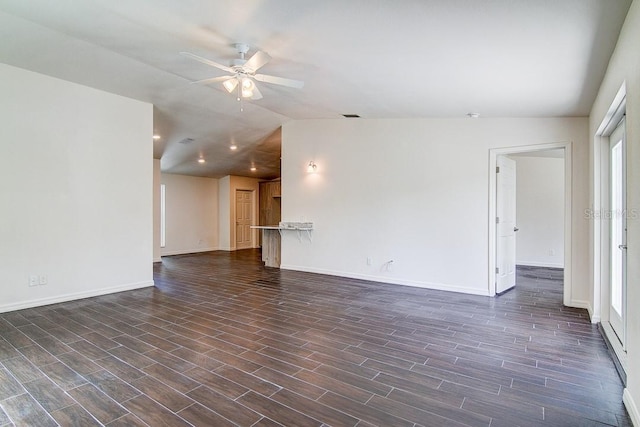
{"x":375,"y":58}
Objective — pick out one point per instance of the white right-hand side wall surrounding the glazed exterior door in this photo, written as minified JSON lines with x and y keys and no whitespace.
{"x":624,"y":67}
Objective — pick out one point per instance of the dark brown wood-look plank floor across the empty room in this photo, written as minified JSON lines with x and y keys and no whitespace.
{"x":222,"y":340}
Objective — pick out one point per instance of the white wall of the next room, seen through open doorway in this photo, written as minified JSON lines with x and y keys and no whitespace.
{"x":540,"y":211}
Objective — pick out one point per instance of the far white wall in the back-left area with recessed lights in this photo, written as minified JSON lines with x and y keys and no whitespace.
{"x":191,"y":208}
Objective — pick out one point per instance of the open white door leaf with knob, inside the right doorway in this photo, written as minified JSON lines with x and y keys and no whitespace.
{"x":505,"y":224}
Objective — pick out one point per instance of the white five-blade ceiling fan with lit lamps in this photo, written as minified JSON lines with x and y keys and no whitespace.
{"x":243,"y":73}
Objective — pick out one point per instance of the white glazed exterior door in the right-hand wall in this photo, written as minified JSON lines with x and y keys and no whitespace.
{"x":618,"y":233}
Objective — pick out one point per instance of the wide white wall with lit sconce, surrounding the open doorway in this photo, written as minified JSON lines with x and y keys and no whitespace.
{"x":412,"y":191}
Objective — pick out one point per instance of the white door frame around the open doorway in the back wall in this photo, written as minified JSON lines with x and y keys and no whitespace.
{"x":493,"y":155}
